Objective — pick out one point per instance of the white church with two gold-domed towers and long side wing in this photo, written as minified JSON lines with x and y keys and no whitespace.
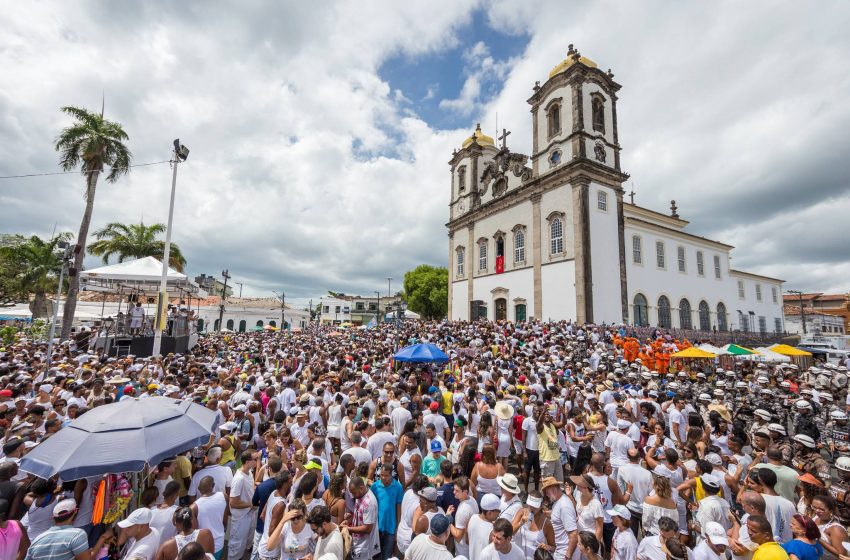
{"x":549,"y":236}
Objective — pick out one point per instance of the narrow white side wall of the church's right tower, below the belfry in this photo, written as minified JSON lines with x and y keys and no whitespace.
{"x":605,"y":255}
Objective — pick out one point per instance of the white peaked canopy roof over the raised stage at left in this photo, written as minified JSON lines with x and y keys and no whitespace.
{"x":141,"y":276}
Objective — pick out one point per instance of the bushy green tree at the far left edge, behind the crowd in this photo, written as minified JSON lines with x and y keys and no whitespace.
{"x":37,"y":264}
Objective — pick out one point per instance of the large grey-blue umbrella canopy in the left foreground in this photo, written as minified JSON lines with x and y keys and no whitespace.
{"x":122,"y":437}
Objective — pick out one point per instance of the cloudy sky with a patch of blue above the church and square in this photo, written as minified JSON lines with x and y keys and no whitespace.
{"x":320,"y":132}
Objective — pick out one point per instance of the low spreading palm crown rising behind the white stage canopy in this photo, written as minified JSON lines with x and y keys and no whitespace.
{"x":134,"y":241}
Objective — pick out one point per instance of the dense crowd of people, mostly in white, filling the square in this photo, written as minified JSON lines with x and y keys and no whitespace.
{"x":536,"y":440}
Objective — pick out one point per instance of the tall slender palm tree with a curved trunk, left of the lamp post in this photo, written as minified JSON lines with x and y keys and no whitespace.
{"x":91,"y":143}
